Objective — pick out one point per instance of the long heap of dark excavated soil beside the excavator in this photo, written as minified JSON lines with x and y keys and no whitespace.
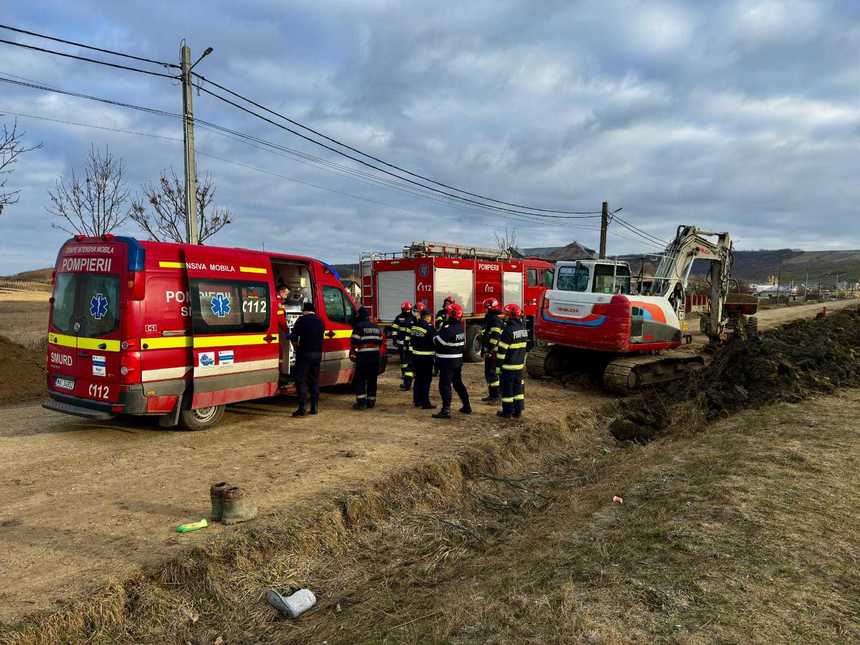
{"x":788,"y":364}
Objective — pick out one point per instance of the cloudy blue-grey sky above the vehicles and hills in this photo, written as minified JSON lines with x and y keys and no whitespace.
{"x":741,"y":116}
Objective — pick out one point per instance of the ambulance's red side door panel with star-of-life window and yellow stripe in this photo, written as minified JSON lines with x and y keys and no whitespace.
{"x":235,"y":331}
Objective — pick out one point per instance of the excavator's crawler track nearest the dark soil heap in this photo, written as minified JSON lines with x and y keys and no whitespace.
{"x":629,"y":374}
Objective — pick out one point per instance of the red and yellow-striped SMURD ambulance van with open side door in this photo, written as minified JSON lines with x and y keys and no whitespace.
{"x":179,"y":331}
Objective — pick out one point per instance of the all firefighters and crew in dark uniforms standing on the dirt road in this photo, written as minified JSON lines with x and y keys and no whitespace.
{"x":427,"y":347}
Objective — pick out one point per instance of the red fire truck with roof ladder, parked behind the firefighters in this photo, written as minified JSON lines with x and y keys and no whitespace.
{"x":427,"y":272}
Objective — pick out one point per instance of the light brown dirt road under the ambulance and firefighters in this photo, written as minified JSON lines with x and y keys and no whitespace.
{"x":86,"y":501}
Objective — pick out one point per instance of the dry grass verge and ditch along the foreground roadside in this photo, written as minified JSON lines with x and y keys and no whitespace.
{"x":746,"y":532}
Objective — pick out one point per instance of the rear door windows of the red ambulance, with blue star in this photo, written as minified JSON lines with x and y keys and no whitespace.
{"x":85,"y":304}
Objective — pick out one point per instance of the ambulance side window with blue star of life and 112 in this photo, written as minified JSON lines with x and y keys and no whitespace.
{"x":221,"y":306}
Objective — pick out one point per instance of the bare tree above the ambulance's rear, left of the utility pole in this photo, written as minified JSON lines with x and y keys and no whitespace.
{"x":94,"y":204}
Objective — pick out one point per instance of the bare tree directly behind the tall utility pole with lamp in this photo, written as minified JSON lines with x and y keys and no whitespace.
{"x":166,"y":221}
